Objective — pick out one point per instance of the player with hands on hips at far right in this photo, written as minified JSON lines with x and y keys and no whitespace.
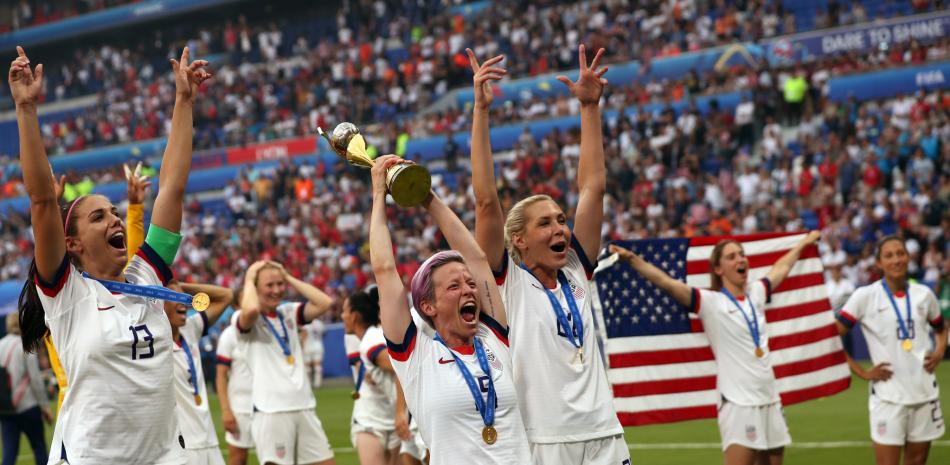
{"x":894,"y":315}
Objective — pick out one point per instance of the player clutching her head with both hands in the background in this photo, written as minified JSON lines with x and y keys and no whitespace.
{"x":284,"y":426}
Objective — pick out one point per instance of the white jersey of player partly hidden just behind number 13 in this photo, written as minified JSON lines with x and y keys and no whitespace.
{"x":194,"y":420}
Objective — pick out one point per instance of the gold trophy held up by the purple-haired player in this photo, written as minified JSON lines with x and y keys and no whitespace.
{"x":408,"y":183}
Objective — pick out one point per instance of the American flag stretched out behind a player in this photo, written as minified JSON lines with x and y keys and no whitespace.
{"x":660,"y":364}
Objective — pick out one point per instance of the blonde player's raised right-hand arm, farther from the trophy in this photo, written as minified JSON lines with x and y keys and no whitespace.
{"x":591,"y":172}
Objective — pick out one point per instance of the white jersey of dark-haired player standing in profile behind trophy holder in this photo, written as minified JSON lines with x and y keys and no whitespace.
{"x":377,"y":406}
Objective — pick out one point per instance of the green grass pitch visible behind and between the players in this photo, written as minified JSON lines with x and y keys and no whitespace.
{"x":825,"y":432}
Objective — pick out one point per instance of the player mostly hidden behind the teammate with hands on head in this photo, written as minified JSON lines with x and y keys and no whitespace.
{"x":234,"y":394}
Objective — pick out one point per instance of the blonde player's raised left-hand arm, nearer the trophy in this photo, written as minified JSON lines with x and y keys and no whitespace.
{"x":489,"y":217}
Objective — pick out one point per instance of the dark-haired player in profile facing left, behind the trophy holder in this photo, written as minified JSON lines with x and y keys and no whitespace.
{"x":373,"y":431}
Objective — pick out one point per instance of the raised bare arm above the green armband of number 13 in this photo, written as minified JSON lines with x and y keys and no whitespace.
{"x":176,"y":162}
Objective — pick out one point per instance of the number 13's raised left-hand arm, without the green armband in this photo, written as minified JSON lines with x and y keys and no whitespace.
{"x":49,"y":237}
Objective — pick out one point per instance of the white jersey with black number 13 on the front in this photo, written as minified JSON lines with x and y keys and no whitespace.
{"x":116,"y":351}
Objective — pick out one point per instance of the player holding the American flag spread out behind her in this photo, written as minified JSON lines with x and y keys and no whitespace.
{"x":751,"y":423}
